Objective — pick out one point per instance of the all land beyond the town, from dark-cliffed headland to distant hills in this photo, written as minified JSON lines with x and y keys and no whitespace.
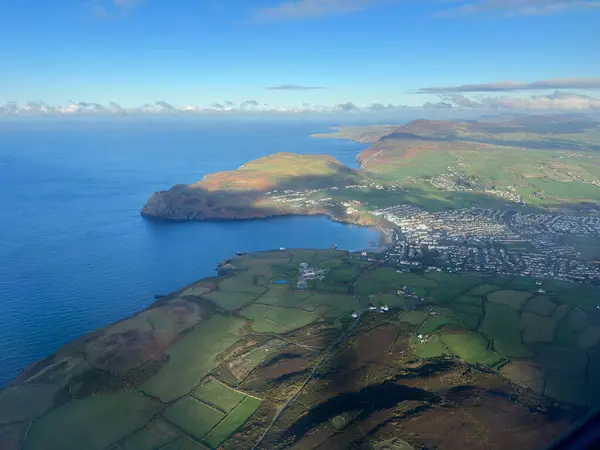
{"x":544,"y":162}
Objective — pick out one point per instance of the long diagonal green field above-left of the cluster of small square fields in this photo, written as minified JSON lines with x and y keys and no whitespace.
{"x":182,"y":373}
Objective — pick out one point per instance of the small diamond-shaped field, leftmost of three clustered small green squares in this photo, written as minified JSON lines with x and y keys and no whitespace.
{"x":193,"y":416}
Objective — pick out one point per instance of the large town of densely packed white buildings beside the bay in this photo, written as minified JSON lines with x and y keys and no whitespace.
{"x":503,"y":242}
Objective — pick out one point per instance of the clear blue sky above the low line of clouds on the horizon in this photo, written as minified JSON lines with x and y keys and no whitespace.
{"x":203,"y":52}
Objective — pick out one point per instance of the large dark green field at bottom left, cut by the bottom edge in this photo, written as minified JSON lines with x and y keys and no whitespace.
{"x":93,"y":422}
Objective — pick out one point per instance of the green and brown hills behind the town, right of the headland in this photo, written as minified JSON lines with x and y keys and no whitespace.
{"x":540,"y":161}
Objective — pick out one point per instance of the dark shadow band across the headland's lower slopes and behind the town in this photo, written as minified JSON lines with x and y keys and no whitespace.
{"x":183,"y":203}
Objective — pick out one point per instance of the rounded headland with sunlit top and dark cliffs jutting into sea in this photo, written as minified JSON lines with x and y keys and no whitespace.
{"x":255,"y":190}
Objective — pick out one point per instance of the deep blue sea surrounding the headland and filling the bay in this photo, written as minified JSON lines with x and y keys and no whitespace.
{"x":76,"y":255}
